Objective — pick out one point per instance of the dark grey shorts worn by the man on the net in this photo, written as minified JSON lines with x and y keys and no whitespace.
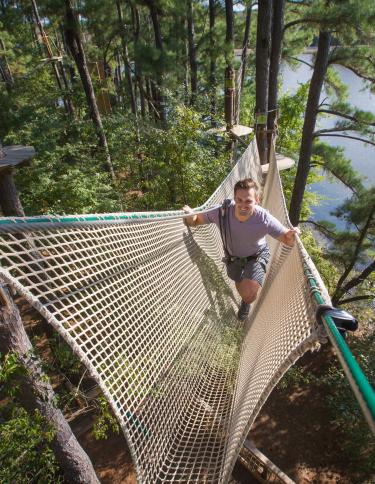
{"x":254,"y":269}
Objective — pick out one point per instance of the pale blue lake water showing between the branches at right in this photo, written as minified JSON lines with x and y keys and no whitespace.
{"x":362,"y":156}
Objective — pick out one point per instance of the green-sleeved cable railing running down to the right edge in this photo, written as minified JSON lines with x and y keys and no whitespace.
{"x":361,"y":387}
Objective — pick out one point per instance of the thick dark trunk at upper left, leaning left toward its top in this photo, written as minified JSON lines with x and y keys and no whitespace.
{"x":73,"y":40}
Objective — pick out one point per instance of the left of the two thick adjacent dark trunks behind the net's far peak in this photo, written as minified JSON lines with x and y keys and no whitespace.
{"x":263,"y":50}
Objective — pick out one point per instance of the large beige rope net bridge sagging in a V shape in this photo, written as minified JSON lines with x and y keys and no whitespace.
{"x":146,"y":305}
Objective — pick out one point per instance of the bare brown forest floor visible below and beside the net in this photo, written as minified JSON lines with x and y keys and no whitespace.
{"x":294,"y":429}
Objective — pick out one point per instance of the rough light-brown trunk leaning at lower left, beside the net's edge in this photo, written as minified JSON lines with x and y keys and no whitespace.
{"x":36,"y":393}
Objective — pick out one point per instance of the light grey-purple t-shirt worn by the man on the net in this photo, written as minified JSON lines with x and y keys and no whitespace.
{"x":246,"y":238}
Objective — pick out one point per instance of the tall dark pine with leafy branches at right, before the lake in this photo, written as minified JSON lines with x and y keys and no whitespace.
{"x":355,"y":53}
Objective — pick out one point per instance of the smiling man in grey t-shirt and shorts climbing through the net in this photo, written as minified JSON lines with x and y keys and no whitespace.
{"x":244,"y":225}
